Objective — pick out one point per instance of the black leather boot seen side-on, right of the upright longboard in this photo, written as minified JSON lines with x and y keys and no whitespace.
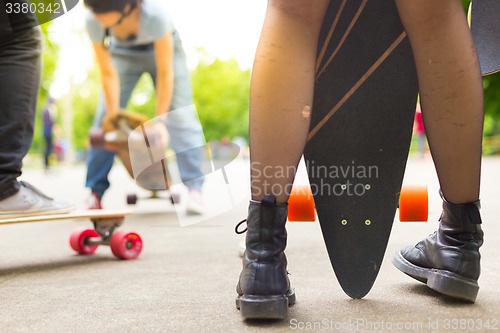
{"x":448,"y":260}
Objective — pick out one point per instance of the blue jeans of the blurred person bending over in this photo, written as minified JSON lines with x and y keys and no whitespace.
{"x":184,"y":127}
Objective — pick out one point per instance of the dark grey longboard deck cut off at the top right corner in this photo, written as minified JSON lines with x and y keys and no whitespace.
{"x":484,"y":18}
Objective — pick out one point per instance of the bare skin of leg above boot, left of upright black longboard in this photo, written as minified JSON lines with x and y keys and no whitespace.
{"x":281,"y":93}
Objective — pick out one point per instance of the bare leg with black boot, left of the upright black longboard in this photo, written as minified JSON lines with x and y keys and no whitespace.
{"x":281,"y":97}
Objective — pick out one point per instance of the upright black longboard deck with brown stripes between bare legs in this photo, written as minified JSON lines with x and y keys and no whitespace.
{"x":361,"y":125}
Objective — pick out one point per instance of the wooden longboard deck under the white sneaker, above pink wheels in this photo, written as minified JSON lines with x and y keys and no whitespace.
{"x":91,"y":214}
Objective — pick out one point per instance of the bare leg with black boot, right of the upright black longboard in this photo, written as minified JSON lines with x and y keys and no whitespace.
{"x":451,"y":96}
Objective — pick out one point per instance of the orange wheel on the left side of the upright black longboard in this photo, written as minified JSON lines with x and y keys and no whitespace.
{"x":301,"y":204}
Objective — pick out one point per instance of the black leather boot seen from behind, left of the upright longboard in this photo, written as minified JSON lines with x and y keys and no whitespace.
{"x":264,"y":290}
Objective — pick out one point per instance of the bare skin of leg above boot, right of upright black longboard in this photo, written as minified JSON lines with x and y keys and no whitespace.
{"x":451,"y":92}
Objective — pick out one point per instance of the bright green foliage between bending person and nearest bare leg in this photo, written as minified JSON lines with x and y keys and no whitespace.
{"x":221,"y":90}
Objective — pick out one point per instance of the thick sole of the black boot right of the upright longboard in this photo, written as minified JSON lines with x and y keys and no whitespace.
{"x":442,"y":281}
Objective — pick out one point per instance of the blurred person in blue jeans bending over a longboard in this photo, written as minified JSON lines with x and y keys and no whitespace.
{"x":132,"y":37}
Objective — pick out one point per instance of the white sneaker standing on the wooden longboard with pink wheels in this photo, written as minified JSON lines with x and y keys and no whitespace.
{"x":29,"y":201}
